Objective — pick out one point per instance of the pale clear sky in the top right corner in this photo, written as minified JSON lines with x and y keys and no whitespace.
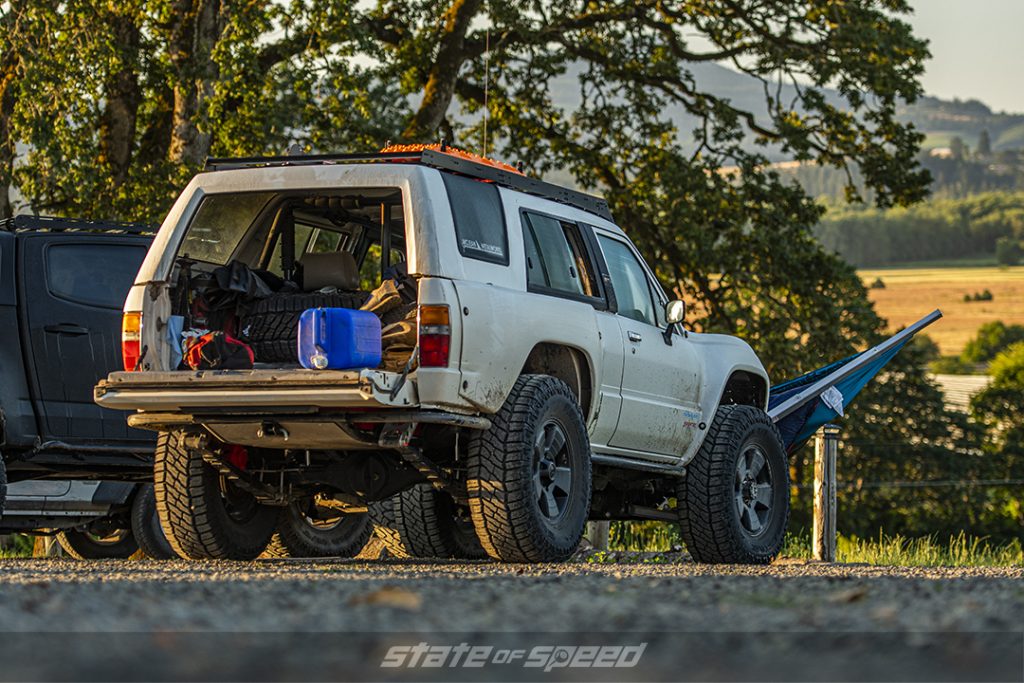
{"x":977,"y":51}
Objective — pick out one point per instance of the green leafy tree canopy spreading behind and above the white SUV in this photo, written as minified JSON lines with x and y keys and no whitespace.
{"x":121,"y":103}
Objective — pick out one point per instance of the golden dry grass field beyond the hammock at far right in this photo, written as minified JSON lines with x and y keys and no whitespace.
{"x":911,"y":293}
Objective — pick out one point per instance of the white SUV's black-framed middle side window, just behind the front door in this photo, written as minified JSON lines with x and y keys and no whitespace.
{"x":557,"y":259}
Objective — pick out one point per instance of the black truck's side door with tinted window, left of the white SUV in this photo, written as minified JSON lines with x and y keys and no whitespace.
{"x":72,"y":293}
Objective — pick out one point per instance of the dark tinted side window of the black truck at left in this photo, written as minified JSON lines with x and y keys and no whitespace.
{"x":93,"y":275}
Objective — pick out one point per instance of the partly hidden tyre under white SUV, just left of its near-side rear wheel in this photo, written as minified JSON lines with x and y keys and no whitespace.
{"x":424,"y":523}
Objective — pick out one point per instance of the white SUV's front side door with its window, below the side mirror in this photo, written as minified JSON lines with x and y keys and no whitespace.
{"x":661,"y":382}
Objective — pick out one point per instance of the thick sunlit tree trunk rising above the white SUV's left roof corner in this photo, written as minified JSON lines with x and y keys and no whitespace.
{"x":193,"y":41}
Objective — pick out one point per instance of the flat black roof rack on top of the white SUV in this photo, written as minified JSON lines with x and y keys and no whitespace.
{"x":434,"y":159}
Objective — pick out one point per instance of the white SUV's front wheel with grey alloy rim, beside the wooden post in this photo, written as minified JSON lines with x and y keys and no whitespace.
{"x":735,"y":500}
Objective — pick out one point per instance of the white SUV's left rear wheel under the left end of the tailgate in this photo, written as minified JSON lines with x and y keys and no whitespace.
{"x":203,"y":515}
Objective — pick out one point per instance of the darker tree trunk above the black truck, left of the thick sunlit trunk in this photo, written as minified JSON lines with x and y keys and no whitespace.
{"x":123,"y":95}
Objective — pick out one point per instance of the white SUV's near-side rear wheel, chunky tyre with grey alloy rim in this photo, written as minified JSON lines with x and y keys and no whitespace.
{"x":530,"y":475}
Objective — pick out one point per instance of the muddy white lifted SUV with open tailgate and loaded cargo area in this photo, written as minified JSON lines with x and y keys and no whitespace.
{"x":552,"y":380}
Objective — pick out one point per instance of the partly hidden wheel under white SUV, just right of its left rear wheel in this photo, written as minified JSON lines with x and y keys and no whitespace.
{"x":306,"y":533}
